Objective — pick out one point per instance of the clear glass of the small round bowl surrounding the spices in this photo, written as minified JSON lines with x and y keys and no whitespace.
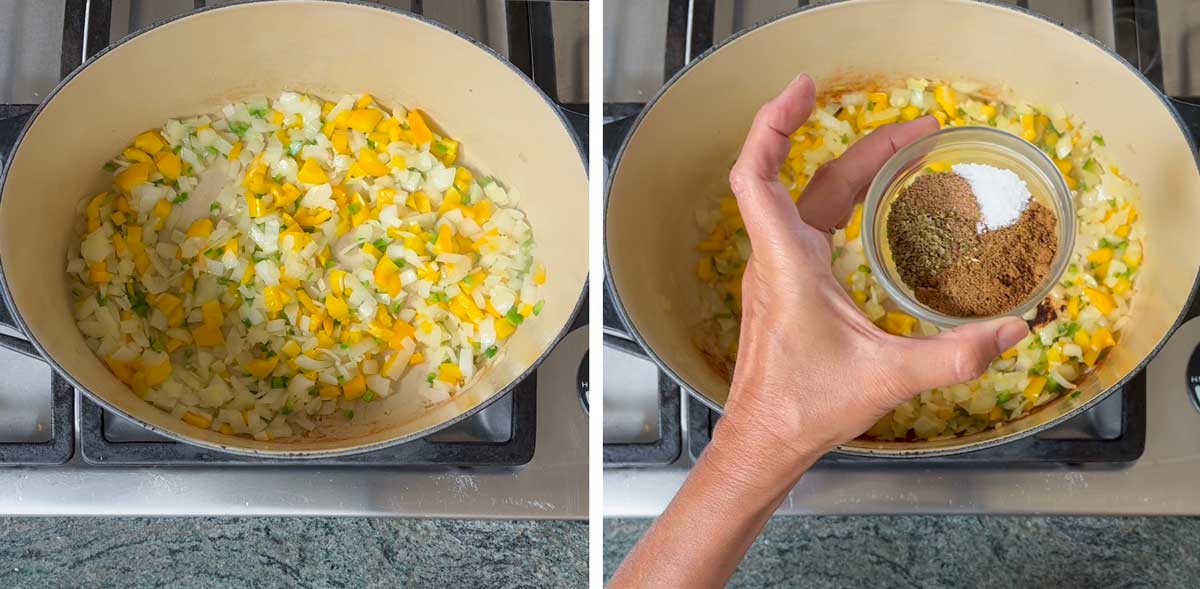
{"x":964,"y":146}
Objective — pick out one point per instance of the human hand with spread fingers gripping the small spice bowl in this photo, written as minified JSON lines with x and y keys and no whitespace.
{"x":813,"y":371}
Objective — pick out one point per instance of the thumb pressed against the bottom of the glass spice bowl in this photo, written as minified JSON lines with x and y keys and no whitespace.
{"x":955,"y":357}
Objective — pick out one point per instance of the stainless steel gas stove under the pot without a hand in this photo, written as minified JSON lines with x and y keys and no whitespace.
{"x":62,"y":454}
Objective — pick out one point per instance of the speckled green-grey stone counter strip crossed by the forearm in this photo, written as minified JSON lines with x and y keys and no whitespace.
{"x":901,"y":552}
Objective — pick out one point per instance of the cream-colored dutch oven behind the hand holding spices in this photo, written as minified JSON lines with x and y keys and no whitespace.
{"x":686,"y":141}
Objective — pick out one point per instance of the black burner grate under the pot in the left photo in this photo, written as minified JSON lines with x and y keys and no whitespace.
{"x":86,"y":29}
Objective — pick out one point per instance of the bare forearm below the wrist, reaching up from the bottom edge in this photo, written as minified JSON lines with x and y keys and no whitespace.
{"x":717,"y":515}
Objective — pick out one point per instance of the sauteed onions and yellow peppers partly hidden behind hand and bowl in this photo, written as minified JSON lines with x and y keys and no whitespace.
{"x":1079,"y":323}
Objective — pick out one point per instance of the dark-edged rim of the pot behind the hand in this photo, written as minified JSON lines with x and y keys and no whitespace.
{"x":847,"y":449}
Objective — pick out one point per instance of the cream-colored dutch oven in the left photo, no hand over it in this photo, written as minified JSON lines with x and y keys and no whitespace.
{"x":194,"y":65}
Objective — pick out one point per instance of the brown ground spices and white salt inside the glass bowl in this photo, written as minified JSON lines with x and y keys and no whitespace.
{"x":971,"y":242}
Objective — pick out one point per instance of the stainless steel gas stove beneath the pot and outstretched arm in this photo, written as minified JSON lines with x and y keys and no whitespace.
{"x":1133,"y":454}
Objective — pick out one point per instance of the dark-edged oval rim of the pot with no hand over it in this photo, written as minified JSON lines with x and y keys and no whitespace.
{"x":298,"y":455}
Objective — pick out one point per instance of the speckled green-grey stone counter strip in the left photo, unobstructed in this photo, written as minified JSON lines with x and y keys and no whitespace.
{"x":290,"y":552}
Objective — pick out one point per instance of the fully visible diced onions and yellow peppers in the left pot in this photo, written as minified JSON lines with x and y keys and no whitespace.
{"x":286,"y":260}
